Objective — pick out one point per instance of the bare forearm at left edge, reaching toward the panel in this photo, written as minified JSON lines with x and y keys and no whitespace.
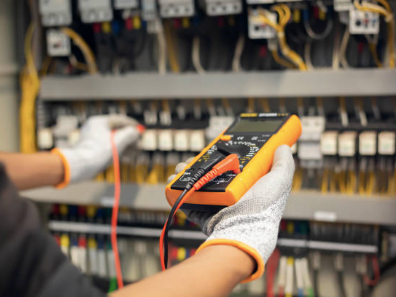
{"x":33,"y":170}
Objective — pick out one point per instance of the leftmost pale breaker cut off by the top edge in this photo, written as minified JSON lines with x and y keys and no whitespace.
{"x":55,"y":12}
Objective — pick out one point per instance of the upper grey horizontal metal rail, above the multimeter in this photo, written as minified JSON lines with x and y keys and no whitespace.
{"x":324,"y":83}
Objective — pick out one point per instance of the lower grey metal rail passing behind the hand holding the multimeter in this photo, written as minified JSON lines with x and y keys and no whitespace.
{"x":304,"y":205}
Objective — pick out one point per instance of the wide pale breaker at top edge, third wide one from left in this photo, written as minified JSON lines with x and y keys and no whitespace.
{"x":176,"y":8}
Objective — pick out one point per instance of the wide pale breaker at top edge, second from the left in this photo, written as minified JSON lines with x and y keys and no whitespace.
{"x":93,"y":11}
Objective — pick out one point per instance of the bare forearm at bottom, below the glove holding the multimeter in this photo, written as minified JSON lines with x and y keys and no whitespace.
{"x":214,"y":271}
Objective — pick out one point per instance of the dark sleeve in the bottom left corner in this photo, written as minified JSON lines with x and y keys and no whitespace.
{"x":31,"y":263}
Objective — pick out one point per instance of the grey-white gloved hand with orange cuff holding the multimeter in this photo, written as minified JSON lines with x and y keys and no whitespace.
{"x":252,"y":223}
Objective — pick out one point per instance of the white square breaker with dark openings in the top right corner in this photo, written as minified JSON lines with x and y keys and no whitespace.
{"x":361,"y":22}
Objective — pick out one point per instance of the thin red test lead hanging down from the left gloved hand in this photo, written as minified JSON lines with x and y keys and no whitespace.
{"x":114,"y":215}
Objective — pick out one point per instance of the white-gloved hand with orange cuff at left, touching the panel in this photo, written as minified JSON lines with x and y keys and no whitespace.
{"x":92,"y":153}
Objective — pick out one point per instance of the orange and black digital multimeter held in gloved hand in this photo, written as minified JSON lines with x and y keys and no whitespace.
{"x":254,"y":137}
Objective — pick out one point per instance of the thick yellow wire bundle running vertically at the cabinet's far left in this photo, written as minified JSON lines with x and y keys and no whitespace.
{"x":30,"y":85}
